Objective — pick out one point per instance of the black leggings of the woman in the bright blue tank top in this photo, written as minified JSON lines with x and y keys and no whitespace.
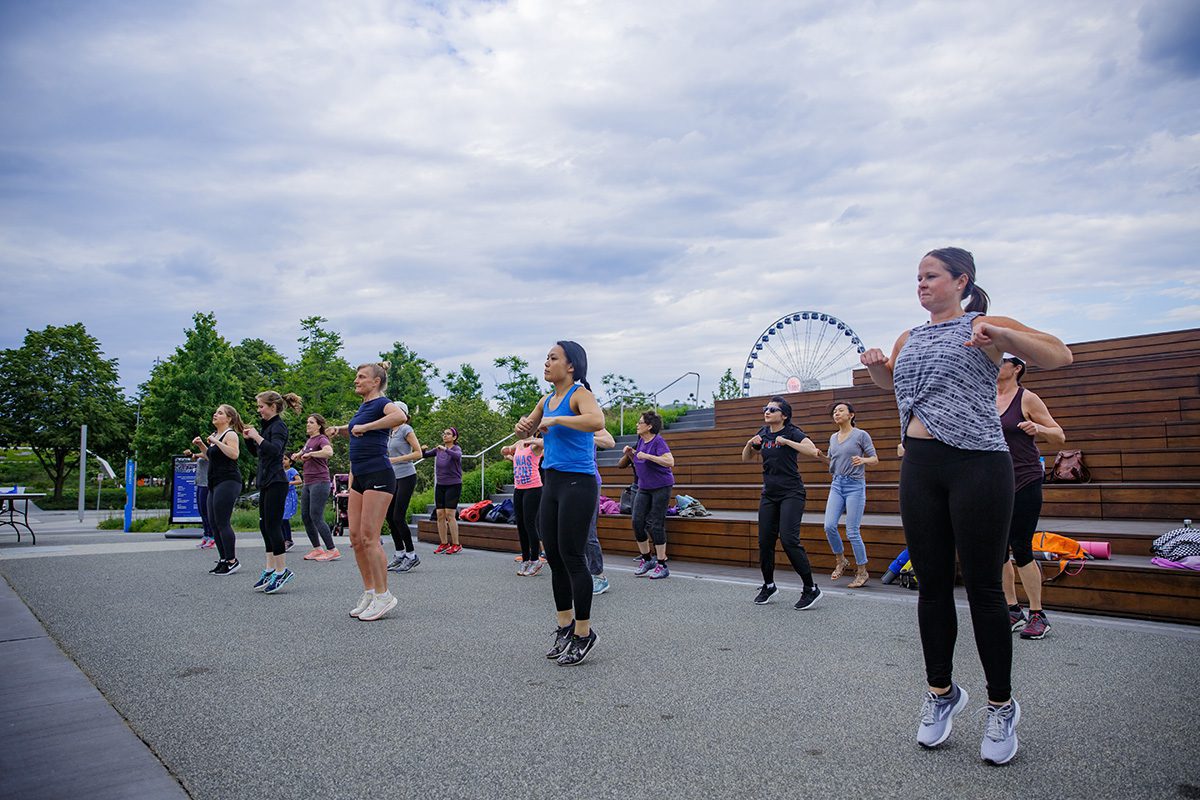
{"x":568,"y":504}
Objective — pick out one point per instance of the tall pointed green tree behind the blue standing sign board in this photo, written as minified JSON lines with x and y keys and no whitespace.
{"x":182,"y":394}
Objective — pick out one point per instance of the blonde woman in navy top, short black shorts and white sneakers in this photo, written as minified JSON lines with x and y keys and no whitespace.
{"x":373,"y":485}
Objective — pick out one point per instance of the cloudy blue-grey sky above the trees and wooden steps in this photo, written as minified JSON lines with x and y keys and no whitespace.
{"x":657,"y":181}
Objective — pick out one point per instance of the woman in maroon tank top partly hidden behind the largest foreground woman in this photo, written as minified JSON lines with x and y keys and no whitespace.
{"x":1024,"y":417}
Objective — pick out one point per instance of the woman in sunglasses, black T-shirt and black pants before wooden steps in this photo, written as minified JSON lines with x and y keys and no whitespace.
{"x":782,"y":507}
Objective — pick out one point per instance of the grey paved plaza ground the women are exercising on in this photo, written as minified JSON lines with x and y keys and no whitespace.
{"x":692,"y":691}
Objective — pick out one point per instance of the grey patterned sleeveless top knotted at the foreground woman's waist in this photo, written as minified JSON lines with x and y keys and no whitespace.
{"x":951,"y":388}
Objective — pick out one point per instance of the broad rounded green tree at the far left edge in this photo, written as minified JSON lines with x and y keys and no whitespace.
{"x":50,"y":387}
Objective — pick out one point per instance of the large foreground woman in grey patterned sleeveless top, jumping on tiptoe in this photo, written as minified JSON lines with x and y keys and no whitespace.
{"x":957,"y":483}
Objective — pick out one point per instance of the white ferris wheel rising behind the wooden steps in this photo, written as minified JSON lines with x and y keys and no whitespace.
{"x":802,"y":352}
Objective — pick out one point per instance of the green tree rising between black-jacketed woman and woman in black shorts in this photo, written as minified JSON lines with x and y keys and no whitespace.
{"x":322,"y":376}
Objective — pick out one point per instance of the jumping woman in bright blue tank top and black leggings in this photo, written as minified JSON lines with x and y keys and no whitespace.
{"x":568,"y":418}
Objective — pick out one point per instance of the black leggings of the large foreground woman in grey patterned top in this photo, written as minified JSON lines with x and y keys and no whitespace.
{"x":959,"y":501}
